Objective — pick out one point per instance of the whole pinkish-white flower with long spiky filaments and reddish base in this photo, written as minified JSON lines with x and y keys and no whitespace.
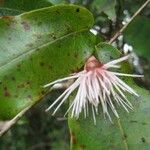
{"x":96,"y":86}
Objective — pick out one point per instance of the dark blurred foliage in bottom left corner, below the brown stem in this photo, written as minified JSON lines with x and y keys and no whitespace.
{"x":38,"y":130}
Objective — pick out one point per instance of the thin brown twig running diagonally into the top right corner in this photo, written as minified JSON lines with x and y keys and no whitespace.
{"x":131,"y":19}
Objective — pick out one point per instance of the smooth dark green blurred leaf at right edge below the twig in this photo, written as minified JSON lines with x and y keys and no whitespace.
{"x":137,"y":35}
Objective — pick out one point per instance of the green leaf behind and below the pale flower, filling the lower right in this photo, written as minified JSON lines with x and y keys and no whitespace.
{"x":131,"y":131}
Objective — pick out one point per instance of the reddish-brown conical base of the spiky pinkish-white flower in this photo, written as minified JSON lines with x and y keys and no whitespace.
{"x":92,"y":64}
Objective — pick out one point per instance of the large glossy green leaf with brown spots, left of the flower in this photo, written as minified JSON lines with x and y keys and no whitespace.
{"x":38,"y":47}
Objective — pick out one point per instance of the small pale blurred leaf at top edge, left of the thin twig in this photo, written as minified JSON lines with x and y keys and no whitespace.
{"x":106,"y":6}
